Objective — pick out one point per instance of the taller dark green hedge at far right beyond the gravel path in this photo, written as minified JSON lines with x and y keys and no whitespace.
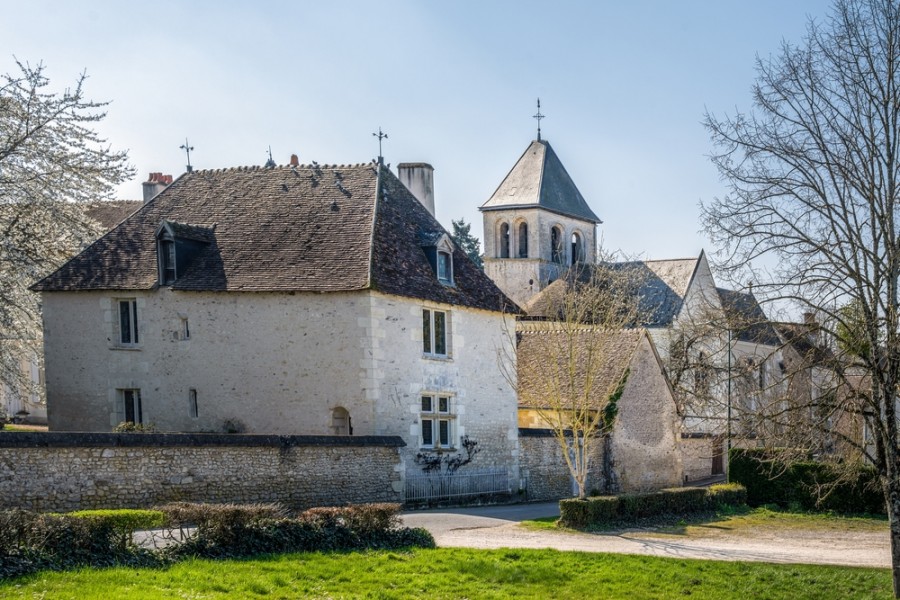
{"x":810,"y":485}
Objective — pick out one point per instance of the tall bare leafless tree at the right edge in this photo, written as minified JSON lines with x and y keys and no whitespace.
{"x":813,"y":173}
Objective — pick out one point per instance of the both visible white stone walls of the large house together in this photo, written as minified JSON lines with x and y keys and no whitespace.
{"x":279,"y":363}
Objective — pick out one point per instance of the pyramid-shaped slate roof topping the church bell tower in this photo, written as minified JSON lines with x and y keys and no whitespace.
{"x":539,"y":179}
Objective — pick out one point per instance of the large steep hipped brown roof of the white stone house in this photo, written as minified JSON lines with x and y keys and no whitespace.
{"x":310,"y":228}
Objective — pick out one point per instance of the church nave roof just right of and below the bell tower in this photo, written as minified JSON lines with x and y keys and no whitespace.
{"x":661,"y":286}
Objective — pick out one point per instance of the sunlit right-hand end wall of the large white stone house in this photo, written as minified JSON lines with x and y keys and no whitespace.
{"x":482,"y":402}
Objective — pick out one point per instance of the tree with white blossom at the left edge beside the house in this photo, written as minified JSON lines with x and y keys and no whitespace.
{"x":50,"y":160}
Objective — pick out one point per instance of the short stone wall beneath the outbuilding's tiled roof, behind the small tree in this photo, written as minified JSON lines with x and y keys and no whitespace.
{"x":543,"y":467}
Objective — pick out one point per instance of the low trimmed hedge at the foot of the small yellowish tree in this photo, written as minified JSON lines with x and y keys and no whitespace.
{"x":604,"y":510}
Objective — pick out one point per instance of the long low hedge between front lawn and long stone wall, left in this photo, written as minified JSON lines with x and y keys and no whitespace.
{"x":32,"y":541}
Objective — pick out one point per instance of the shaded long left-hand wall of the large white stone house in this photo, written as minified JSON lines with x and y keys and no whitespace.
{"x":278,"y":363}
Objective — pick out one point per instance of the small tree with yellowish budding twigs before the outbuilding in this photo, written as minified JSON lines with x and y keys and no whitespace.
{"x":570,"y":365}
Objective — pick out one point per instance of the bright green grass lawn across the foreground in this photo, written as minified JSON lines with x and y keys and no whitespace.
{"x":459,"y":573}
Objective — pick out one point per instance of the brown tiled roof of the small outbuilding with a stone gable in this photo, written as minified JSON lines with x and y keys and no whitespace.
{"x":543,"y":346}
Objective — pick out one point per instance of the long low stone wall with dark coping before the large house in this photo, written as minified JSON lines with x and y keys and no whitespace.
{"x":70,"y":471}
